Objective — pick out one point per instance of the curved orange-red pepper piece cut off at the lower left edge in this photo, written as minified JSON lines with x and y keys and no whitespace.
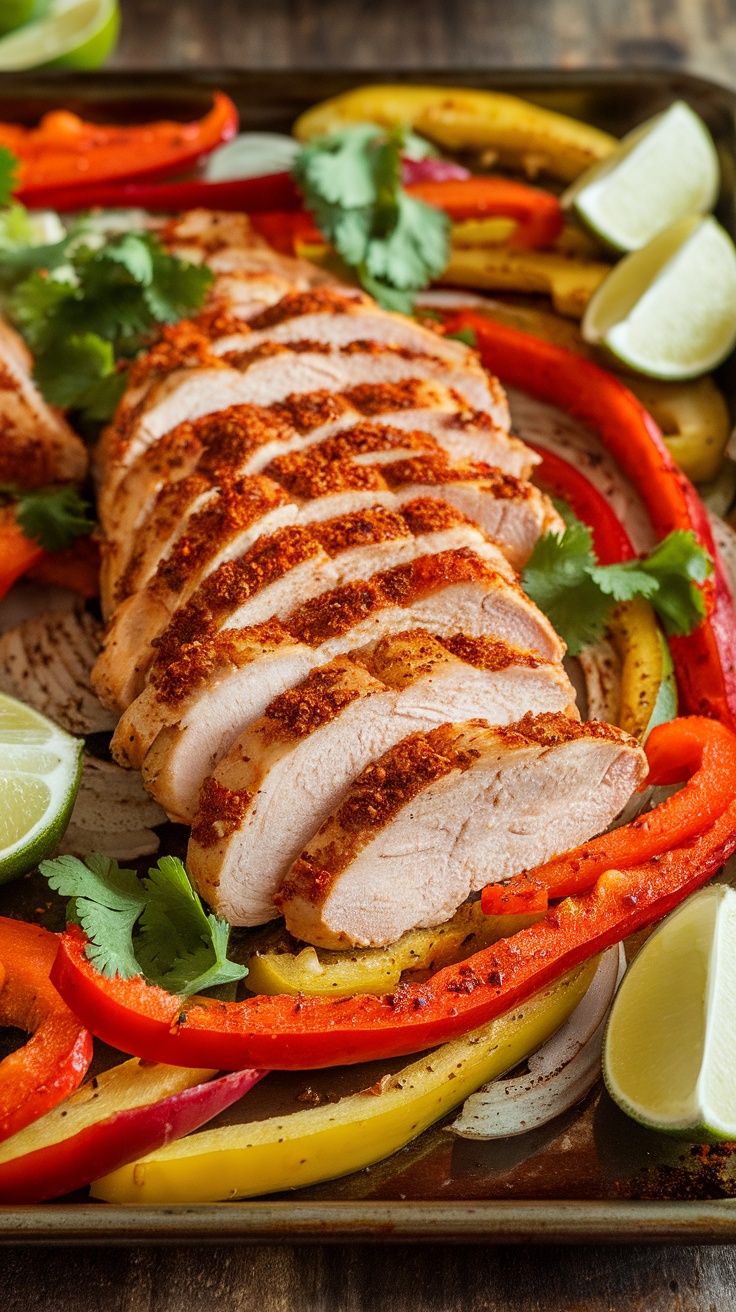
{"x":54,"y":1061}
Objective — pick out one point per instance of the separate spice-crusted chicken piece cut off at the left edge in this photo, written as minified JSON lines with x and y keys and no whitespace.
{"x":37,"y":447}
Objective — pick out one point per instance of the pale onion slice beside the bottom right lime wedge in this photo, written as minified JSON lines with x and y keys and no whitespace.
{"x":561,"y":1074}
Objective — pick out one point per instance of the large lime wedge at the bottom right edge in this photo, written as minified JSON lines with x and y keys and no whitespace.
{"x":670,"y":1059}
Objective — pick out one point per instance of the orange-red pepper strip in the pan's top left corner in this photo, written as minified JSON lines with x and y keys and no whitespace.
{"x":65,"y":152}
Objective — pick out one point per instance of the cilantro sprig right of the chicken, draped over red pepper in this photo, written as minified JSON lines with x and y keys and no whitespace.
{"x":578,"y":595}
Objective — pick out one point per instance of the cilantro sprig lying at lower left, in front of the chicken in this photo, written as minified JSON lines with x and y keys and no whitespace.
{"x":154,"y":926}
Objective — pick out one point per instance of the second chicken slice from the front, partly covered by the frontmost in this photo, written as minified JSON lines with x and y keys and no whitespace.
{"x":296,"y":764}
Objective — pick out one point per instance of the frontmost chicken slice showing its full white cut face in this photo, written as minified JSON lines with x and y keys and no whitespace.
{"x":445,"y":813}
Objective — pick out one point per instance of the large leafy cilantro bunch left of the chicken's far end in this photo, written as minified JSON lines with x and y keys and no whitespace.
{"x":91,"y":302}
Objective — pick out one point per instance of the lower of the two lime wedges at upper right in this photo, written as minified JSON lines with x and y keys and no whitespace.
{"x":670,"y":310}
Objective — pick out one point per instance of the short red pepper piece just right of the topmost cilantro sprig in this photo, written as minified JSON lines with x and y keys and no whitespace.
{"x":539,"y":215}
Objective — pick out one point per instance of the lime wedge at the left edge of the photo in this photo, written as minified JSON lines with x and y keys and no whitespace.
{"x":40,"y":772}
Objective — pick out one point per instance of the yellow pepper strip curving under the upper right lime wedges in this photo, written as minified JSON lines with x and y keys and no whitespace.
{"x":693,"y":417}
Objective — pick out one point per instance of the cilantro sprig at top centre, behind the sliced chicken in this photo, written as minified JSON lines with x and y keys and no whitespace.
{"x":352,"y":184}
